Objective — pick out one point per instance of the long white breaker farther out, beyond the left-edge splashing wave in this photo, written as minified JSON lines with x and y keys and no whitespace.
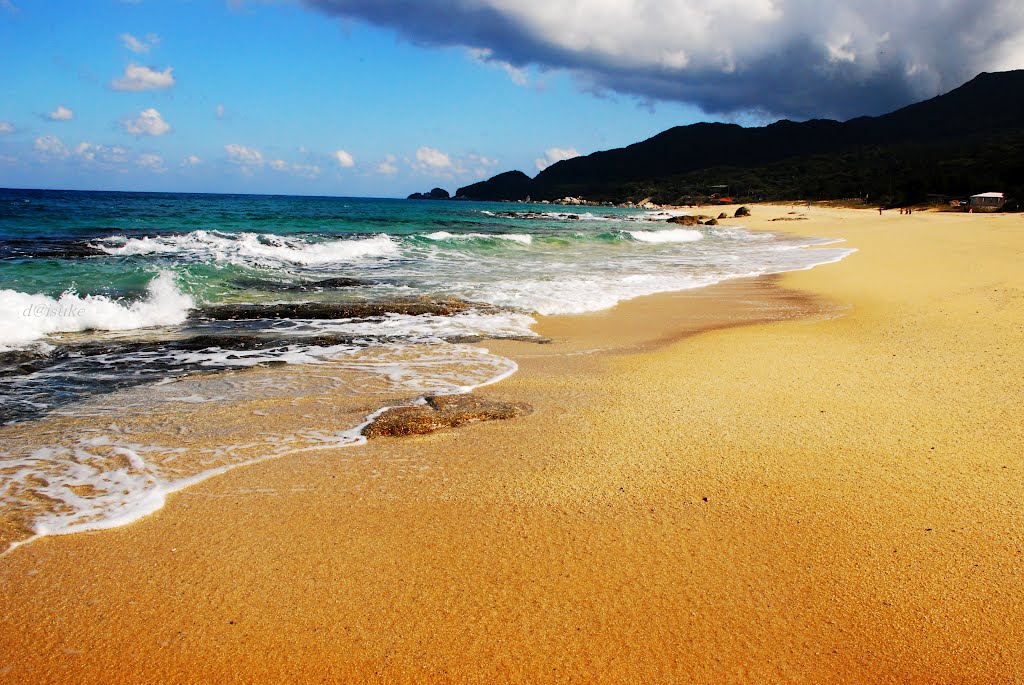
{"x":248,"y":248}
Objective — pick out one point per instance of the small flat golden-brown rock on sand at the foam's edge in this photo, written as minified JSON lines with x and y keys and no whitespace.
{"x":442,"y":412}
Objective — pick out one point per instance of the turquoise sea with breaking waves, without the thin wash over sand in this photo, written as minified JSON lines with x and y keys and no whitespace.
{"x":101,"y":291}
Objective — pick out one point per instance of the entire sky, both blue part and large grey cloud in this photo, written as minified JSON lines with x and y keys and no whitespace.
{"x":388,"y":98}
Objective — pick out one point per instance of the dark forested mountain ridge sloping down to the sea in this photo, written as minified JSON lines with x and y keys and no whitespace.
{"x":957,"y":144}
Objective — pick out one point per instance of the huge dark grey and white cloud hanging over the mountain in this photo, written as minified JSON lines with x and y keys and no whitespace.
{"x":799,"y":59}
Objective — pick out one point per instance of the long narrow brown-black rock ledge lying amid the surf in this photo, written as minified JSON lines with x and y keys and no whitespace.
{"x":331,"y":311}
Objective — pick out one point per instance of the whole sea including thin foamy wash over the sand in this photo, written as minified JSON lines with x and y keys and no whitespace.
{"x":127,"y":319}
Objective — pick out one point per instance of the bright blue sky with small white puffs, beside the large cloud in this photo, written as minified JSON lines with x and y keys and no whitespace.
{"x":264,"y":96}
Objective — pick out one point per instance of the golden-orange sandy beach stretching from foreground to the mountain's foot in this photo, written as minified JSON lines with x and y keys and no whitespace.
{"x":816,"y":478}
